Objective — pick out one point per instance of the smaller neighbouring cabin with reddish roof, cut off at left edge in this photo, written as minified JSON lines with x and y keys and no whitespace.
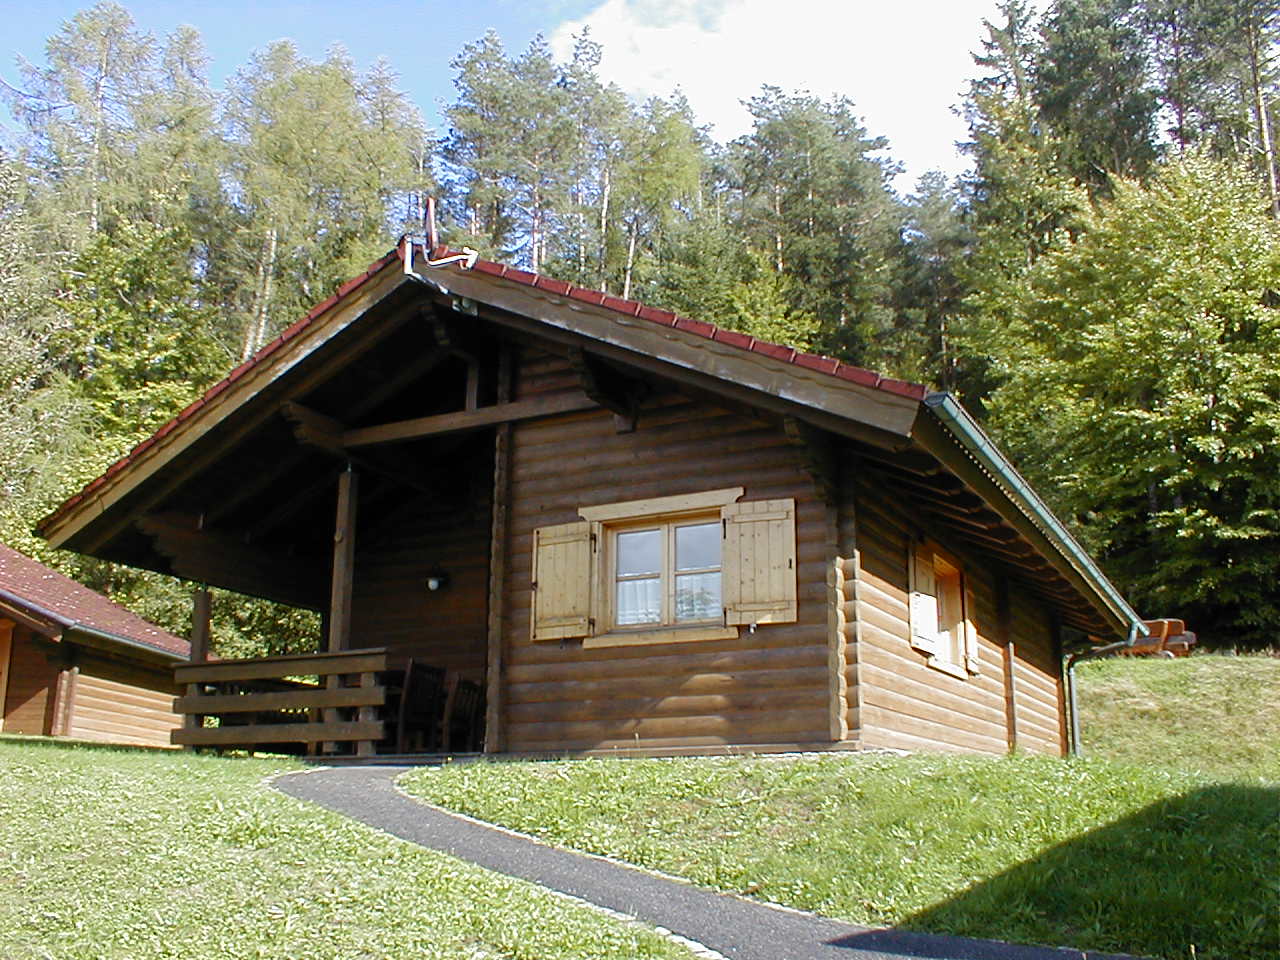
{"x":74,"y":664}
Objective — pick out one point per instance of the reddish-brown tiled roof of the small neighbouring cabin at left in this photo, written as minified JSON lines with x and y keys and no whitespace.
{"x":52,"y":597}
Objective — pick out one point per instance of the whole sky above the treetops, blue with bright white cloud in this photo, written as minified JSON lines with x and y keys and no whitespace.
{"x":903,"y":65}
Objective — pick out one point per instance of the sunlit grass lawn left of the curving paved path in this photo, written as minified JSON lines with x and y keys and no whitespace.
{"x":139,"y":856}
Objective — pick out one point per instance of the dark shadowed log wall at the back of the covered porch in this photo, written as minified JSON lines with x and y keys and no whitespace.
{"x":392,"y":606}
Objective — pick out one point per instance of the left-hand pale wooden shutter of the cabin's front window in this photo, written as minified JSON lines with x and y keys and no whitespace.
{"x":563,"y":582}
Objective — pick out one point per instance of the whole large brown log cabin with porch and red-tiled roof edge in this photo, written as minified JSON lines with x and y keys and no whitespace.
{"x":630,"y":532}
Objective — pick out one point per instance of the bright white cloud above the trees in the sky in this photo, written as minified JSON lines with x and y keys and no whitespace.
{"x":904,"y":65}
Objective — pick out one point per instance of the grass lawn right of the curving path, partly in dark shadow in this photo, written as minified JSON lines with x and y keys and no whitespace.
{"x":1148,"y":858}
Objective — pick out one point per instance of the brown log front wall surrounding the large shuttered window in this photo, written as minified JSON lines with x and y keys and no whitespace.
{"x":771,"y":687}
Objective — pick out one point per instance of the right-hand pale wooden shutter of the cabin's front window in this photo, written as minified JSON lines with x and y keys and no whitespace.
{"x":760,"y":563}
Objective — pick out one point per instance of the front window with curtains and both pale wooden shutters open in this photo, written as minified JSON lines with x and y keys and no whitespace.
{"x":670,"y":569}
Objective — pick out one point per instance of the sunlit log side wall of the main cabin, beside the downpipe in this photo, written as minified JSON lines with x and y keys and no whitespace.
{"x":903,"y":702}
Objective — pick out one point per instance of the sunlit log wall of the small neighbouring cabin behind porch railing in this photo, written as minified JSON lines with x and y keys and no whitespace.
{"x":122,"y":703}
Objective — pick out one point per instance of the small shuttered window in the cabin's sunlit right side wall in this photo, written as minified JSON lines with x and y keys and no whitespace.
{"x":941,"y":611}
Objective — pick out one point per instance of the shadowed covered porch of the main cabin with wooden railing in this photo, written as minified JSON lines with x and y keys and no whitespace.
{"x":355,"y":469}
